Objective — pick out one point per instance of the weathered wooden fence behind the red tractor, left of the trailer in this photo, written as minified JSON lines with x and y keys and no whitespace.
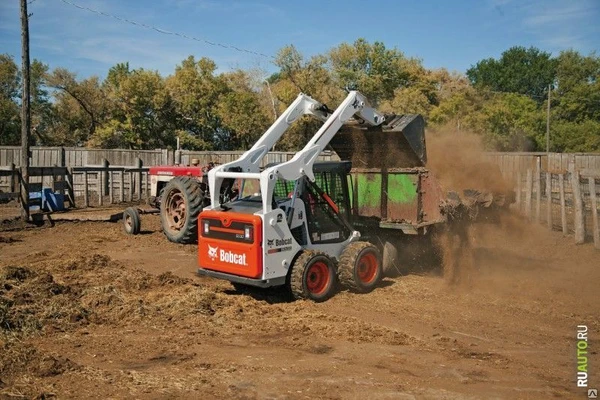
{"x":95,"y":179}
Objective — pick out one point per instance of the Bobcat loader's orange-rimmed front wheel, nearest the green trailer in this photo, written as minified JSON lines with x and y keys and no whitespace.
{"x":360,"y":267}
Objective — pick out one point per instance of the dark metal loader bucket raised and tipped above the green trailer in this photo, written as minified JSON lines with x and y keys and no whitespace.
{"x":398,"y":143}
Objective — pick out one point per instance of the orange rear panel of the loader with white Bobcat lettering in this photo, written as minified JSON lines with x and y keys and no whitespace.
{"x":230,"y":243}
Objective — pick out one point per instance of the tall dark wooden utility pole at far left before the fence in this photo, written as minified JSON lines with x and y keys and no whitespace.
{"x":25,"y":113}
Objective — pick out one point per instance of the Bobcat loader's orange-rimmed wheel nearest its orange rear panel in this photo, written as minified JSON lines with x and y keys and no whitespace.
{"x":312,"y":276}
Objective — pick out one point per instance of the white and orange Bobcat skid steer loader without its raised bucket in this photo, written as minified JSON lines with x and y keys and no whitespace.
{"x":289,"y":223}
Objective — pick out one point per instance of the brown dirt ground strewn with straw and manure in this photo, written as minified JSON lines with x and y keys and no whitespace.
{"x":88,"y":312}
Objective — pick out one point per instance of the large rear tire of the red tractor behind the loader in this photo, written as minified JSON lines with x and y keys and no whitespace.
{"x":181,"y":203}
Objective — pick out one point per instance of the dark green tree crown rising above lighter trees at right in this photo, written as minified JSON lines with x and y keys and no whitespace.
{"x":519,"y":70}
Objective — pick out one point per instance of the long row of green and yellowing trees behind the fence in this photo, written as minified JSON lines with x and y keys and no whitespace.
{"x":504,"y":100}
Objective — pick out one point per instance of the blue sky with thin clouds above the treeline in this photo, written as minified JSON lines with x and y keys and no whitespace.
{"x":452,"y":34}
